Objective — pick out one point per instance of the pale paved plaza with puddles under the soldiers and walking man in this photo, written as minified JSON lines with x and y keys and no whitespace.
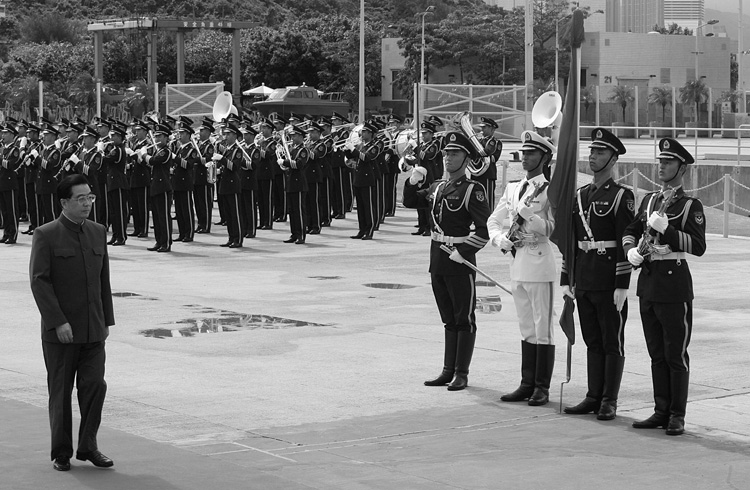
{"x":282,"y":366}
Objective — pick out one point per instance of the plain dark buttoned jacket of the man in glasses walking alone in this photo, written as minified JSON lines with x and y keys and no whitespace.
{"x":69,"y":273}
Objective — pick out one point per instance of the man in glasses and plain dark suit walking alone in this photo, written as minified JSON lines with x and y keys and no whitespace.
{"x":69,"y":274}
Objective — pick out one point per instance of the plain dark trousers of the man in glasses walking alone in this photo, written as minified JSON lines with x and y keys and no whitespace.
{"x":84,"y":364}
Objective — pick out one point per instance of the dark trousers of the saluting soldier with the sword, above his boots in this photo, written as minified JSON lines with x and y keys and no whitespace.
{"x":456,"y":300}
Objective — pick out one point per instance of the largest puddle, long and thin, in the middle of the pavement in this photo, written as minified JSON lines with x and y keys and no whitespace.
{"x":227,"y":321}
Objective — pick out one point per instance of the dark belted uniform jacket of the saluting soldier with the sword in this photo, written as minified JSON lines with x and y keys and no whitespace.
{"x":455,"y":206}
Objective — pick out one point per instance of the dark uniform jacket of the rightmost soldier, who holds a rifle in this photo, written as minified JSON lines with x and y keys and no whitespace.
{"x":669,"y":281}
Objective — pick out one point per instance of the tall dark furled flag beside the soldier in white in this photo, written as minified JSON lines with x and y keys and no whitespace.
{"x":562,"y":187}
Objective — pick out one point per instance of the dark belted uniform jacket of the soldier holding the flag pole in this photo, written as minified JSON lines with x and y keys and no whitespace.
{"x":607,"y":213}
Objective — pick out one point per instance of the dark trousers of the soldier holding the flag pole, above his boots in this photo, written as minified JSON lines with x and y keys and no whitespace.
{"x":602,"y":326}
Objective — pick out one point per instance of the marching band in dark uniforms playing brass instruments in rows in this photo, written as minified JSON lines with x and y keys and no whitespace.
{"x":305,"y":170}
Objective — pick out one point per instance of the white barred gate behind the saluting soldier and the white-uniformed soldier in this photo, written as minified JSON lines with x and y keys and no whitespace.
{"x":506,"y":104}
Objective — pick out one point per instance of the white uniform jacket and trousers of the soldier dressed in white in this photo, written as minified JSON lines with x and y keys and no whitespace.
{"x":532,"y":270}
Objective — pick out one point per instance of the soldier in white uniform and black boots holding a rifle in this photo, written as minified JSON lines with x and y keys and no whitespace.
{"x":532,"y":266}
